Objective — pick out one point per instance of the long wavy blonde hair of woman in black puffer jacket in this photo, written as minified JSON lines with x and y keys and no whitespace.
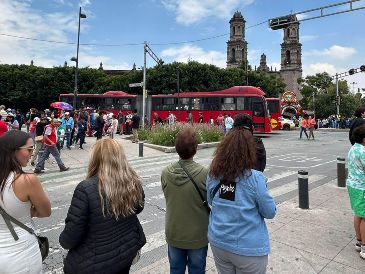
{"x":120,"y":188}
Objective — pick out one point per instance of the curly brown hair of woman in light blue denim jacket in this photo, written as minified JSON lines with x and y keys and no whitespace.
{"x":235,"y":154}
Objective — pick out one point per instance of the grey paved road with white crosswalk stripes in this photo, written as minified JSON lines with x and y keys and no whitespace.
{"x":286,"y":155}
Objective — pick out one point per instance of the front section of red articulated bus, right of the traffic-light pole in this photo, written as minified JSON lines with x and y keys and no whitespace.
{"x":238,"y":99}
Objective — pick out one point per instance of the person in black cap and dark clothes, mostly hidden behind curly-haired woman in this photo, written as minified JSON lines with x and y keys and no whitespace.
{"x":245,"y":122}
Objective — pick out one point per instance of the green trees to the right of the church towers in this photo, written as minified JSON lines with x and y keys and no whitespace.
{"x":322,"y":88}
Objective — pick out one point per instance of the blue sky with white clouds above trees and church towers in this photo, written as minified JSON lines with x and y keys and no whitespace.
{"x":177,"y":30}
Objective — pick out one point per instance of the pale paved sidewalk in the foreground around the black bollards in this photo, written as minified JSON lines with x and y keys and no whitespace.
{"x":318,"y":240}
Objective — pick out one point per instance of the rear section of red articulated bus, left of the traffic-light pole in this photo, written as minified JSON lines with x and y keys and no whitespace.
{"x":110,"y":101}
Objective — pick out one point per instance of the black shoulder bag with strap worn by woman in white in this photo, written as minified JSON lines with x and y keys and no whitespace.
{"x":42,"y":241}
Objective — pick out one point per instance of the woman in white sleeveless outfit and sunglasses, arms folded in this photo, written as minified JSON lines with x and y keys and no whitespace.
{"x":21,"y":196}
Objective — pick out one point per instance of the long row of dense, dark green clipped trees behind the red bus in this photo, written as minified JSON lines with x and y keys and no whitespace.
{"x":24,"y":86}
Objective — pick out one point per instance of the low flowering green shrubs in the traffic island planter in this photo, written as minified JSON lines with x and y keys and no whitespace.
{"x":165,"y":135}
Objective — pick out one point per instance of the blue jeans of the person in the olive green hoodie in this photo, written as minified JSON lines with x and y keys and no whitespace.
{"x":195,"y":259}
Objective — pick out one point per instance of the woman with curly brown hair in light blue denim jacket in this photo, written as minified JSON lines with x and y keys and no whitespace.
{"x":240,"y":202}
